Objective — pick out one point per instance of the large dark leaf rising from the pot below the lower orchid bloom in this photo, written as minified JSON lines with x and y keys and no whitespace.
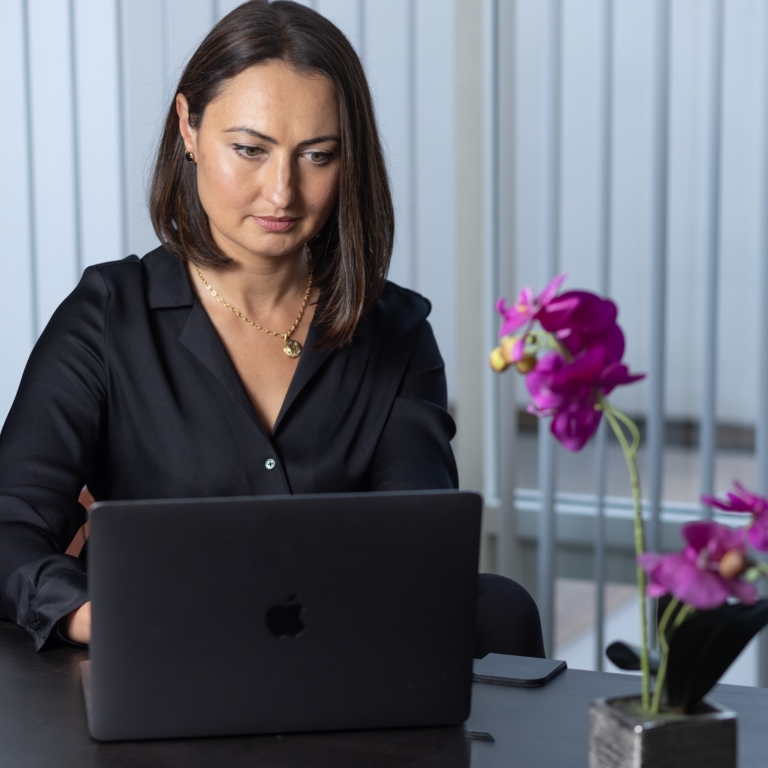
{"x":703,"y":647}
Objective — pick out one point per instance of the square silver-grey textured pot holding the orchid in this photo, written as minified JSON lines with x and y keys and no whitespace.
{"x":621,"y":736}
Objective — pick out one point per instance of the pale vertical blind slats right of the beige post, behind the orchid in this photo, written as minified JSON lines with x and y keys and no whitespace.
{"x":640,"y":170}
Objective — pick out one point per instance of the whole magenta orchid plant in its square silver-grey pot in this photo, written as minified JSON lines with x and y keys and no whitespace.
{"x":569,"y":347}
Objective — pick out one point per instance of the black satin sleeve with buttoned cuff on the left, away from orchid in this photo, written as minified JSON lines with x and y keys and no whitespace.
{"x":47,"y":449}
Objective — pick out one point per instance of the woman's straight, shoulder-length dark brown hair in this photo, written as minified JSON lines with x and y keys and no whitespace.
{"x":351,"y":253}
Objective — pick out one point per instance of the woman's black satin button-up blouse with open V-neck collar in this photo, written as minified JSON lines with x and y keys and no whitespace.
{"x":130,"y":391}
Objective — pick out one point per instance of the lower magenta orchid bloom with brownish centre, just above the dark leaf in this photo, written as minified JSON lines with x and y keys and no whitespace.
{"x":693,"y":575}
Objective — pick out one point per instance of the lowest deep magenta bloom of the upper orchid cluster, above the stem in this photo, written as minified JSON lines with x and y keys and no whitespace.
{"x":568,"y":390}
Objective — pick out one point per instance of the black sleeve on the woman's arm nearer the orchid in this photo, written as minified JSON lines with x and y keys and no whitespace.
{"x":414,"y":451}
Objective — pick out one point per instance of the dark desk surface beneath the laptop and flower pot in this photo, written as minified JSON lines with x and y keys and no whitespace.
{"x":42,"y":725}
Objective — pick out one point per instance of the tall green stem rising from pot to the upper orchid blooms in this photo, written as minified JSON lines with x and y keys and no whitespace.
{"x":614,"y":417}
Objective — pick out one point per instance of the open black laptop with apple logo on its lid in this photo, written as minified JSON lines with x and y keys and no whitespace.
{"x":216,"y":617}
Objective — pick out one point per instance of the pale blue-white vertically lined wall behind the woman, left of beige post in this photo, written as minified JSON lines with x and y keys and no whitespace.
{"x":85,"y":86}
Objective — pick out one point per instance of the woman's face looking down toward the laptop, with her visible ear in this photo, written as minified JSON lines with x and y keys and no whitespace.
{"x":267,"y":153}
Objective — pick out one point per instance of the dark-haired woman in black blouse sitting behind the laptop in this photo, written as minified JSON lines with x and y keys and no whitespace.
{"x":260,"y":350}
